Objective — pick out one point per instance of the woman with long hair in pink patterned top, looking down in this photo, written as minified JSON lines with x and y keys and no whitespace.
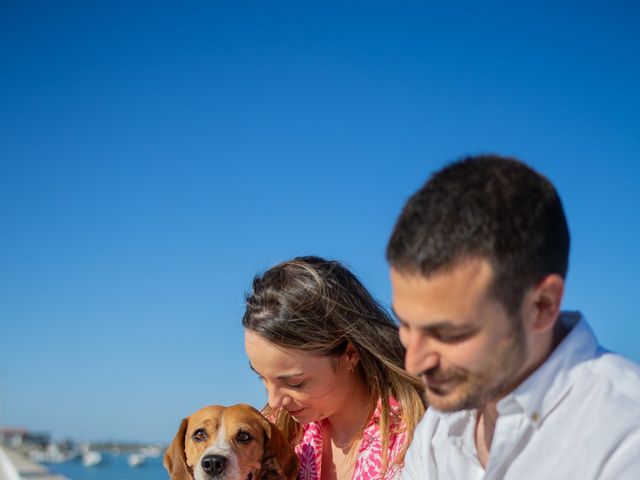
{"x":332,"y":363}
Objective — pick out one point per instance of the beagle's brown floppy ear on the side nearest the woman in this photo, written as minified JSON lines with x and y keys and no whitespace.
{"x":279,"y":460}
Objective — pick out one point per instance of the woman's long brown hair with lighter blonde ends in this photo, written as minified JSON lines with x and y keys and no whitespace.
{"x":319,"y":306}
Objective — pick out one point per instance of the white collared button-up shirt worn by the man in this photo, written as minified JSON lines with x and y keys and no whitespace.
{"x":576,"y":417}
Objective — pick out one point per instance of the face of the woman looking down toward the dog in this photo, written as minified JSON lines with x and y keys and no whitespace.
{"x":309,"y":387}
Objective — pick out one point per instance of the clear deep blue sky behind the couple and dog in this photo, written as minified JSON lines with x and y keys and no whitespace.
{"x":155,"y":156}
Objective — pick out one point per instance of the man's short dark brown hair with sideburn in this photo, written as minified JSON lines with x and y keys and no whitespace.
{"x":487,"y":207}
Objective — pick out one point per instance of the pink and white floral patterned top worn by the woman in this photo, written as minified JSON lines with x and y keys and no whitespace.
{"x":369,"y":460}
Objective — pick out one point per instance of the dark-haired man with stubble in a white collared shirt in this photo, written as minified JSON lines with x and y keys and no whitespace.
{"x":517,"y":389}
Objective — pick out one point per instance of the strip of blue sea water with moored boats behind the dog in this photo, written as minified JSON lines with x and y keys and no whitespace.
{"x":112,"y":467}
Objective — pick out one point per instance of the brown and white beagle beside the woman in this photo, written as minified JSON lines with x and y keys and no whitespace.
{"x":229,"y":443}
